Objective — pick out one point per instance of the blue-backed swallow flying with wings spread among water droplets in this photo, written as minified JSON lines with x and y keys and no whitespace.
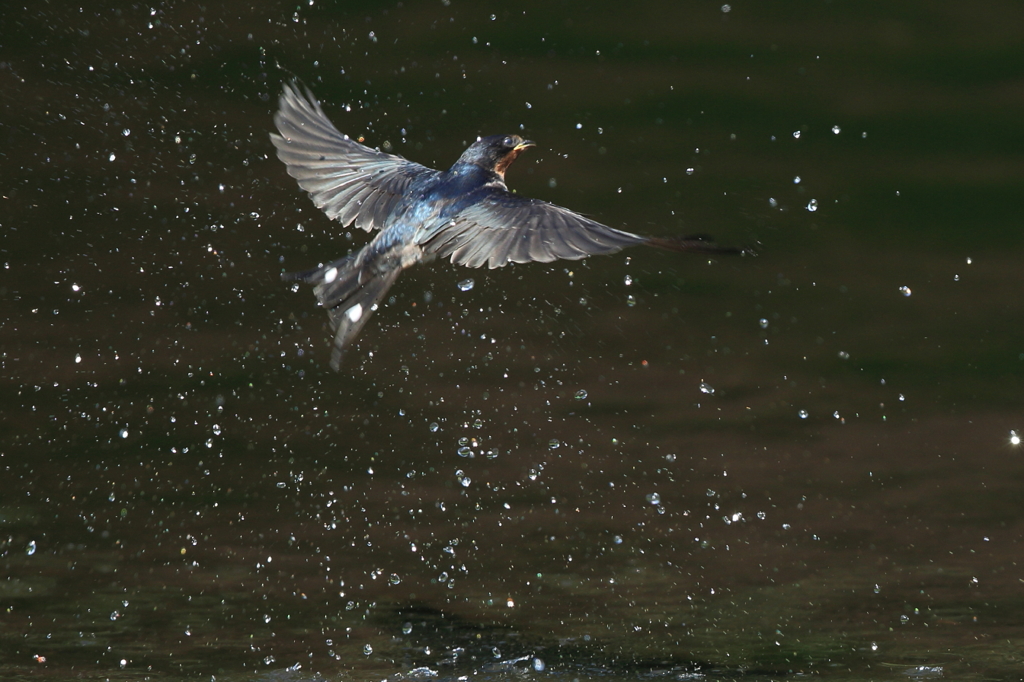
{"x":466,"y":214}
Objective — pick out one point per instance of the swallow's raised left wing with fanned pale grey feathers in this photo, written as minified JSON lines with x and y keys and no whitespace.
{"x":350,"y":182}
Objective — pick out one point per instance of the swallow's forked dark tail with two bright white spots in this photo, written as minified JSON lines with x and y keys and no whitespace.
{"x":350,"y":291}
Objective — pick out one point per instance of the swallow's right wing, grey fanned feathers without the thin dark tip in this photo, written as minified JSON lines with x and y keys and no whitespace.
{"x":503,"y":228}
